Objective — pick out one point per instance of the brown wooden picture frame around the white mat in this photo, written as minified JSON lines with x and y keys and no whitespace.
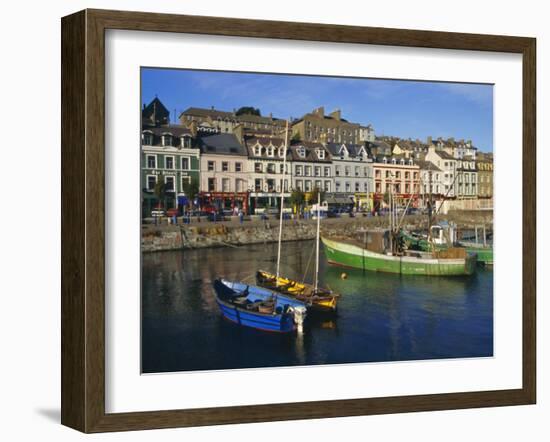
{"x":83,"y":219}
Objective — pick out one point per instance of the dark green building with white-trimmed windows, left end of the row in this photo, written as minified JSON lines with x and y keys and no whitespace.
{"x":168,"y":154}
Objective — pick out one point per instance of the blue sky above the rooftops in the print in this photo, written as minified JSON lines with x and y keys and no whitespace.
{"x":406,"y":109}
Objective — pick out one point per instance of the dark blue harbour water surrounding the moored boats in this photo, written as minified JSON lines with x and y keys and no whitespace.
{"x":381,"y":317}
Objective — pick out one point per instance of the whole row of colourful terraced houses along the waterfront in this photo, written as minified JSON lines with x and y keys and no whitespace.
{"x":234,"y":160}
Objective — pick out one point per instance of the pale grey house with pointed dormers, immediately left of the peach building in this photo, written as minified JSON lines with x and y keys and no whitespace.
{"x":353,"y":176}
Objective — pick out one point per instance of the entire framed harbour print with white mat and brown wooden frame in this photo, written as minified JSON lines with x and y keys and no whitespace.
{"x":267,"y":221}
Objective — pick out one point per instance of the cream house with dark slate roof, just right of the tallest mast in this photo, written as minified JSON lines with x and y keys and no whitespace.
{"x":311,"y":167}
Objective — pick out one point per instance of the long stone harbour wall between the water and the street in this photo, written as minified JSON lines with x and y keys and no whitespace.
{"x":233,"y":233}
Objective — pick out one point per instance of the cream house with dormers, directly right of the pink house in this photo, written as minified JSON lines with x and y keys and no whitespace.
{"x":266,"y":157}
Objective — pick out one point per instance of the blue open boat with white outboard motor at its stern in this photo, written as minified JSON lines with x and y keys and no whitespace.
{"x":259,"y":308}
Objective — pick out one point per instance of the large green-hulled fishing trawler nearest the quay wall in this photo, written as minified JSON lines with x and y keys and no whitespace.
{"x":374,"y":251}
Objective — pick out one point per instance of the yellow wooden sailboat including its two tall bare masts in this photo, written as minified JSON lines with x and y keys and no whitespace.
{"x":312,"y":295}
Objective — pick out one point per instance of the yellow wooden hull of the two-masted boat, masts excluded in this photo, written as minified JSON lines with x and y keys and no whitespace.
{"x":322,"y":299}
